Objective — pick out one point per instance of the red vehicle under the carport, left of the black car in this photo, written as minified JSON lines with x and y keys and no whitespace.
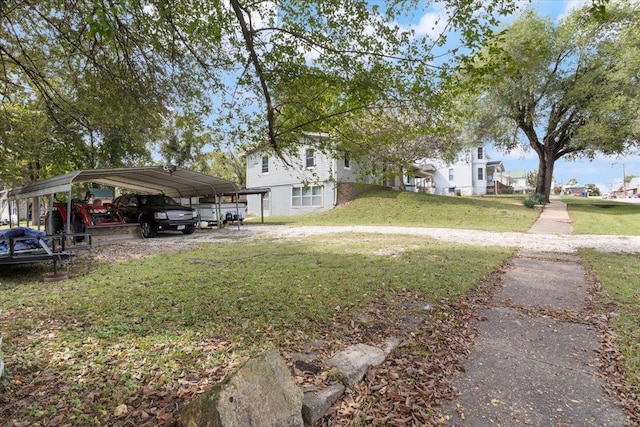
{"x":83,"y":214}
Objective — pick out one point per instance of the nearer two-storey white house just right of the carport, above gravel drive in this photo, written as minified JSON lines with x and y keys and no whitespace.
{"x":310,"y":184}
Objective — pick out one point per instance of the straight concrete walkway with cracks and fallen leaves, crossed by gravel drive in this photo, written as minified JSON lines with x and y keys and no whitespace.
{"x":533,"y":362}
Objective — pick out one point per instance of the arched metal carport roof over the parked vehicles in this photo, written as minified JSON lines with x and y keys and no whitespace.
{"x":170,"y":180}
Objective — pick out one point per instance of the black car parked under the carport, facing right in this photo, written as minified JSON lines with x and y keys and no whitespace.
{"x":156,"y":212}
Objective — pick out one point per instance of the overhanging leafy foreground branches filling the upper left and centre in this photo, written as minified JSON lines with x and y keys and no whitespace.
{"x":233,"y":63}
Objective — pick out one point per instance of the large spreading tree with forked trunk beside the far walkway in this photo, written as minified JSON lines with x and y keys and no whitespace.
{"x":564,"y":91}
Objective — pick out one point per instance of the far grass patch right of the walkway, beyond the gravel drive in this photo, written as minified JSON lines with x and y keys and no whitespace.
{"x":603,"y":217}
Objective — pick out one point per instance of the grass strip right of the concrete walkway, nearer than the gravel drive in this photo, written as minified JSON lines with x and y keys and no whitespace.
{"x":618,"y":274}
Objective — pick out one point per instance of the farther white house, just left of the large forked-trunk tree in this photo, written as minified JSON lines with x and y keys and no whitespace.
{"x":470,"y":175}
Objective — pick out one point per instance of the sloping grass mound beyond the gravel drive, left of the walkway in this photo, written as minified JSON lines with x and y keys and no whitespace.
{"x":502,"y":213}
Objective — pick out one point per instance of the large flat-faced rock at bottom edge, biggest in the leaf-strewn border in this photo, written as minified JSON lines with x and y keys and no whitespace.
{"x":260,"y":394}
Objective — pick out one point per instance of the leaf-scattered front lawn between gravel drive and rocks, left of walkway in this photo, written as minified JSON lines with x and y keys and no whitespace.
{"x":137,"y":332}
